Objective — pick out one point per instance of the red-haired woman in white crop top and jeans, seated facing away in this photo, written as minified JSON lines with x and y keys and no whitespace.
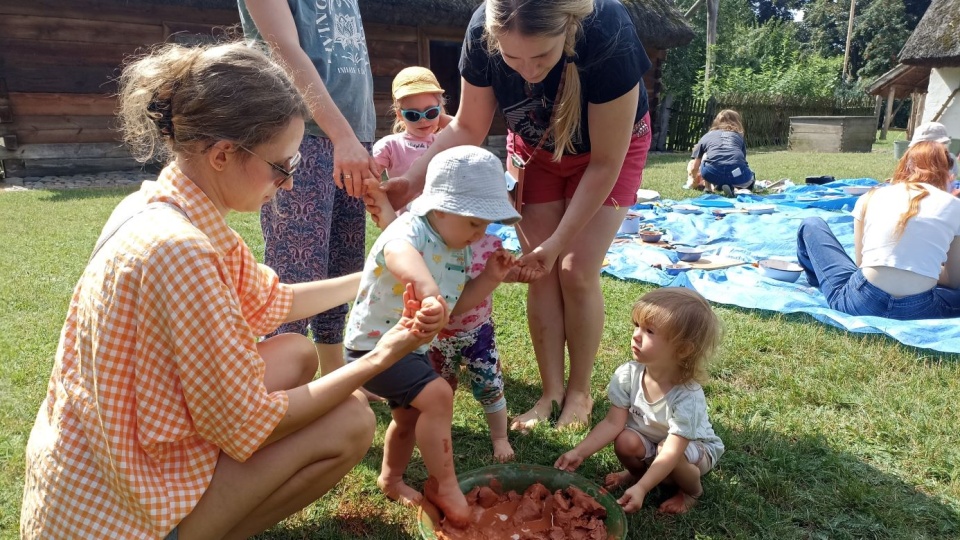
{"x":906,"y":242}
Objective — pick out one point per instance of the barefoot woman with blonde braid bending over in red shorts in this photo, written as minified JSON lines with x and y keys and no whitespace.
{"x":514,"y":59}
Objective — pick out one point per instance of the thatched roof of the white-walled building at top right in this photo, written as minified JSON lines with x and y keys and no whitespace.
{"x":936,"y":40}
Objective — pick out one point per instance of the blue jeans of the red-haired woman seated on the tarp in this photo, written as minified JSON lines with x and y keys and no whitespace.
{"x":828,"y":267}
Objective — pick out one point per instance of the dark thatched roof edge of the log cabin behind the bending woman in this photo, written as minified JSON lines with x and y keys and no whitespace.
{"x":658,"y":23}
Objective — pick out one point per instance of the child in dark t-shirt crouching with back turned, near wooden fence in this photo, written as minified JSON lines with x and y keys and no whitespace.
{"x":720,"y":157}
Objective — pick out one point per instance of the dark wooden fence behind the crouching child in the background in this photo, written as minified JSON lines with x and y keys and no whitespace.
{"x":766,"y":119}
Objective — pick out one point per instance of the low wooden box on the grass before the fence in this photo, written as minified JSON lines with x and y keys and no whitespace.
{"x":832,"y":133}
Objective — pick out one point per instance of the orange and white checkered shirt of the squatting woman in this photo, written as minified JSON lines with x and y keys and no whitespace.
{"x":157,"y":372}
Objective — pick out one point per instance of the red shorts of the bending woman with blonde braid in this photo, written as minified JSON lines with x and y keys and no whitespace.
{"x":545,"y":180}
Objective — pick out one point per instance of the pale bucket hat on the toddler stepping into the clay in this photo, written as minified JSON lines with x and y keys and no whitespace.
{"x":467,"y":181}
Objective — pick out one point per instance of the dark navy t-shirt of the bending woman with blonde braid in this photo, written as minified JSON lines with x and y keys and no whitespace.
{"x":609,"y":56}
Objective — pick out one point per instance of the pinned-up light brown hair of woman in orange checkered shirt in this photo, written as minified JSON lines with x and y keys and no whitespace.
{"x":175,"y":99}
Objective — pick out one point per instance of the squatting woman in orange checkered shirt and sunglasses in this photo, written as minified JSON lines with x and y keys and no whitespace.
{"x":165,"y":416}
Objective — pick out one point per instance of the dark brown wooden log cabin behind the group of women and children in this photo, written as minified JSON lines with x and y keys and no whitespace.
{"x":59,"y":60}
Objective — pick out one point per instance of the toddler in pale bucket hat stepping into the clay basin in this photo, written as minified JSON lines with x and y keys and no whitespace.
{"x":430,"y":248}
